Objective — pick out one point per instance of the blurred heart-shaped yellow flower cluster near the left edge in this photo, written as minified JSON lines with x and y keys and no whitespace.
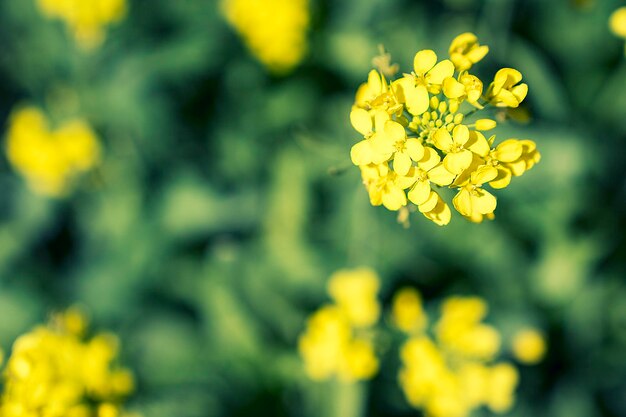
{"x":50,"y":159}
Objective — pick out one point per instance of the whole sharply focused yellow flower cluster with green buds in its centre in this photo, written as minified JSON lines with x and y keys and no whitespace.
{"x":417,"y":135}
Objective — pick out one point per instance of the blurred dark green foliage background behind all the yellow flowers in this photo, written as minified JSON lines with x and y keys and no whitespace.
{"x":226,"y":198}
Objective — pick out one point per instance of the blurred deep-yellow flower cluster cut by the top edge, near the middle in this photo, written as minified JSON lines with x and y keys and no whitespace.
{"x":274,"y":30}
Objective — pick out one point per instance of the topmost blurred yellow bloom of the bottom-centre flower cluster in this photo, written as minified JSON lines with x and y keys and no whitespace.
{"x":354,"y":291}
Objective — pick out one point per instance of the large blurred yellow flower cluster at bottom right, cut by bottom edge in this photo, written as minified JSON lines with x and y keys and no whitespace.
{"x":451,"y":373}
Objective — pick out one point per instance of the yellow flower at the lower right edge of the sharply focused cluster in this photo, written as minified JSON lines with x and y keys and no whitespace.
{"x":472,"y":200}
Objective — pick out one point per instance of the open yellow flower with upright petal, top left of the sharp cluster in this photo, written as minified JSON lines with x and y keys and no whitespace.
{"x":427,"y":75}
